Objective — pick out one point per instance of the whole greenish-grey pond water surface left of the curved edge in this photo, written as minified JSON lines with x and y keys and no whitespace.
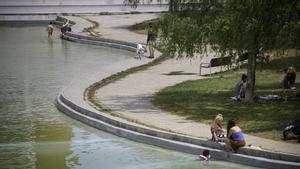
{"x":34,"y":134}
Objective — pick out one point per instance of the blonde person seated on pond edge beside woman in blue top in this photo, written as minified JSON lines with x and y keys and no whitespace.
{"x":216,"y":129}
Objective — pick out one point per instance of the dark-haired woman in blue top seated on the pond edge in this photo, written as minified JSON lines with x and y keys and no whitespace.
{"x":235,"y":138}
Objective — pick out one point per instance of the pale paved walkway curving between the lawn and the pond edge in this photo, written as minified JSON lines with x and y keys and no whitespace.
{"x":131,"y":96}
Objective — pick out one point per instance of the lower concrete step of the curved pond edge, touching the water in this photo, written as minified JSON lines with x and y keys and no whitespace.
{"x":96,"y":120}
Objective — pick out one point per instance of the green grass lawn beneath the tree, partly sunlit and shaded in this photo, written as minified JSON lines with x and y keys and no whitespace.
{"x":202,"y":100}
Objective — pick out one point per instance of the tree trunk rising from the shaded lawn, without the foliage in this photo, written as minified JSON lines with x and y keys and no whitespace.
{"x":249,"y":94}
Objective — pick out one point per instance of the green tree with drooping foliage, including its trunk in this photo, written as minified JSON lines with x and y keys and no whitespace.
{"x":231,"y":27}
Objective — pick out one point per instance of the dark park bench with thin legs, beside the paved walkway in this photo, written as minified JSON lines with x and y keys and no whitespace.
{"x":216,"y":62}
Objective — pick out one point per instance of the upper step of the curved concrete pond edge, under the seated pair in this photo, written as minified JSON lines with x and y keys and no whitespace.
{"x":175,"y":136}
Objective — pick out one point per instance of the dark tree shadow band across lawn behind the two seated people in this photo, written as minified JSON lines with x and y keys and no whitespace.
{"x":253,"y":117}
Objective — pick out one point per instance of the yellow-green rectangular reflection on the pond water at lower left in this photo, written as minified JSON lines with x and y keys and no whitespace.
{"x":52,"y":144}
